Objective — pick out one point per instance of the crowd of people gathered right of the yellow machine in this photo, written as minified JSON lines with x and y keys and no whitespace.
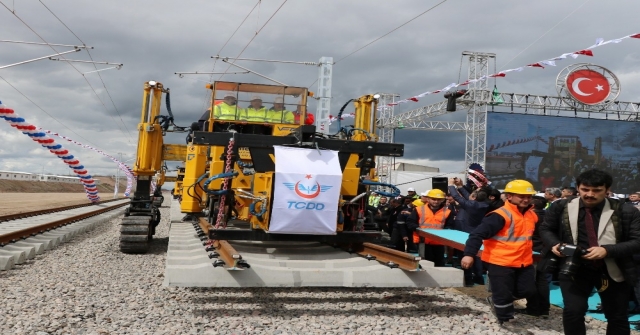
{"x":586,"y":241}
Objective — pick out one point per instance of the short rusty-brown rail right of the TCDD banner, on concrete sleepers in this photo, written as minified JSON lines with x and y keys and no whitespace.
{"x":389,"y":257}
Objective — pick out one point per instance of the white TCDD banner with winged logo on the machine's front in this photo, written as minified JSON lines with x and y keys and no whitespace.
{"x":306,"y":192}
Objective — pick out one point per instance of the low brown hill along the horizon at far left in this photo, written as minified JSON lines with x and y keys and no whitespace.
{"x":18,"y":186}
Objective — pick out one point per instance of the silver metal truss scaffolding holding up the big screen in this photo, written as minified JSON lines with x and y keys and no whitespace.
{"x":476,"y":102}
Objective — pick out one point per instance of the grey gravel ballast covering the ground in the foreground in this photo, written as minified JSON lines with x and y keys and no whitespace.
{"x":86,"y":286}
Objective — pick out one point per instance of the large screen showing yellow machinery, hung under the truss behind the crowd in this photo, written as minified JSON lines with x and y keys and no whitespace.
{"x":550,"y":151}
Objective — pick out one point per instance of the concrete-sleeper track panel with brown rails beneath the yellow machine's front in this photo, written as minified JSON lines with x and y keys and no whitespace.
{"x":192,"y":260}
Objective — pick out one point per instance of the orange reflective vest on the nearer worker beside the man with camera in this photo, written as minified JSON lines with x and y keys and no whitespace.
{"x":512,"y":246}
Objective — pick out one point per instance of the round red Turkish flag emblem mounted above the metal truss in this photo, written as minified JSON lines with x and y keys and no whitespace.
{"x":588,"y":86}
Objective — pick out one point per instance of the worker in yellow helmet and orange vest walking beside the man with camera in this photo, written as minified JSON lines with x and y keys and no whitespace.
{"x":508,"y":249}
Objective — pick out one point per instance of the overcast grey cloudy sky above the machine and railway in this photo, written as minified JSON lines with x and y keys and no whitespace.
{"x":155,"y":39}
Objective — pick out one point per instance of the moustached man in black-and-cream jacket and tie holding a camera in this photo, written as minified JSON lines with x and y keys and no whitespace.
{"x":593,"y":239}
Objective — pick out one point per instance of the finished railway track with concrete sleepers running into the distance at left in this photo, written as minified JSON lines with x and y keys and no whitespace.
{"x":21,"y":238}
